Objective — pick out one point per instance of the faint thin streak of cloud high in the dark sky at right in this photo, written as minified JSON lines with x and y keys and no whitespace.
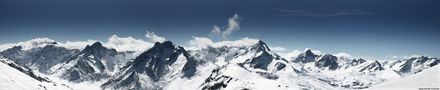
{"x":311,"y":13}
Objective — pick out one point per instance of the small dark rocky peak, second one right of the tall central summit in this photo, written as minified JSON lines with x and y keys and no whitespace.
{"x":329,"y":61}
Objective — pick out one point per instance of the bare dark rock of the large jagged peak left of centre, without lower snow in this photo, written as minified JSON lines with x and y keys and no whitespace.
{"x":155,"y":63}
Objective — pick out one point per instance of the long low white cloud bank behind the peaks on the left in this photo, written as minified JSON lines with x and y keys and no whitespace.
{"x":121,"y":44}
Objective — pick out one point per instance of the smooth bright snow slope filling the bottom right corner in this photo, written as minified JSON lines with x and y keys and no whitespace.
{"x":429,"y":78}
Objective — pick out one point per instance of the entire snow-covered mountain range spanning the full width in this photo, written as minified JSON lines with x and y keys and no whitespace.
{"x":223,"y":66}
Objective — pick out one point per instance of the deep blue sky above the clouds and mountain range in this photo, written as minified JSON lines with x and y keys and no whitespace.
{"x":367,"y":28}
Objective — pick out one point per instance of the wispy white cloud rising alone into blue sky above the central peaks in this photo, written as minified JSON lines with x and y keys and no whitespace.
{"x":233,"y":26}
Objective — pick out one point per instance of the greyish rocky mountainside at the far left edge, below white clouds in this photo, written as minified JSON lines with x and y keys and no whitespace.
{"x":43,"y":58}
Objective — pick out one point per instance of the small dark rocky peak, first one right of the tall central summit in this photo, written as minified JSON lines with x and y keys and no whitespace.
{"x":306,"y":57}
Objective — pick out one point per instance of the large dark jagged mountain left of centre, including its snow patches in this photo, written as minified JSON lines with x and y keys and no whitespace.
{"x":163,"y":62}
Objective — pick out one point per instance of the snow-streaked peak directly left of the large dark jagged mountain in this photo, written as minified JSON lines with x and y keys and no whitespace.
{"x":95,"y":62}
